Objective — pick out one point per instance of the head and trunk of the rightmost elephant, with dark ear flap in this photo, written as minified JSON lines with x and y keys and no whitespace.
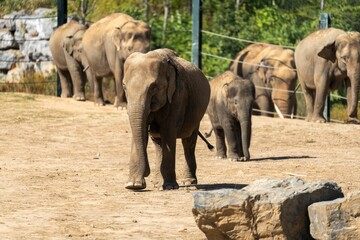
{"x":344,"y":53}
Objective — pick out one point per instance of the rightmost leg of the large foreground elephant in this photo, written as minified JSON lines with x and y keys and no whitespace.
{"x":189,"y":145}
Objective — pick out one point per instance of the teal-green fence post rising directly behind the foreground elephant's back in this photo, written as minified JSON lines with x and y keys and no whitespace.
{"x":196,"y":32}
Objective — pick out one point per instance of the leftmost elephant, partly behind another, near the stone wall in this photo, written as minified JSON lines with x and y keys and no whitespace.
{"x":72,"y":65}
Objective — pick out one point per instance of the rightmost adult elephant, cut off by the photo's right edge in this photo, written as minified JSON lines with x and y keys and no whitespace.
{"x":326,"y":59}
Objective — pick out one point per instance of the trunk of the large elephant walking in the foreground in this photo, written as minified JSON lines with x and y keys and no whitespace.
{"x":139,"y":164}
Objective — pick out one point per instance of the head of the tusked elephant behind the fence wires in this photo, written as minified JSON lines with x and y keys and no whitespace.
{"x":278,"y":74}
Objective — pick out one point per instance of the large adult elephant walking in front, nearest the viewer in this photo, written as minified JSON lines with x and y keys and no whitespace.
{"x":166,"y":98}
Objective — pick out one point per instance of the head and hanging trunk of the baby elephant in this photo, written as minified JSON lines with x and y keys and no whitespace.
{"x":239,"y":96}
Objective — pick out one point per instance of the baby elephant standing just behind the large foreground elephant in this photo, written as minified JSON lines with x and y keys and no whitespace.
{"x":230,"y":110}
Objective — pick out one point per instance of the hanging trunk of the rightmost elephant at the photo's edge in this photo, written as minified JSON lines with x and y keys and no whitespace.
{"x":353,"y":95}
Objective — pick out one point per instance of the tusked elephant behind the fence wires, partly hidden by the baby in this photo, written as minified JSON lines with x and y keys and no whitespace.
{"x":272,"y":69}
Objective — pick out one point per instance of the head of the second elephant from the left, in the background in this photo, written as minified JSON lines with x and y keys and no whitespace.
{"x":132,"y":36}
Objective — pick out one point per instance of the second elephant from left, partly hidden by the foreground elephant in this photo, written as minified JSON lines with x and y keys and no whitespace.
{"x":107,"y":44}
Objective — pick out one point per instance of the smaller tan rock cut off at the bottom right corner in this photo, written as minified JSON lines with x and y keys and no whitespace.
{"x":337,"y":219}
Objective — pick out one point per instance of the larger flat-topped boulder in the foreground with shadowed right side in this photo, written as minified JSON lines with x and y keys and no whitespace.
{"x":265,"y":209}
